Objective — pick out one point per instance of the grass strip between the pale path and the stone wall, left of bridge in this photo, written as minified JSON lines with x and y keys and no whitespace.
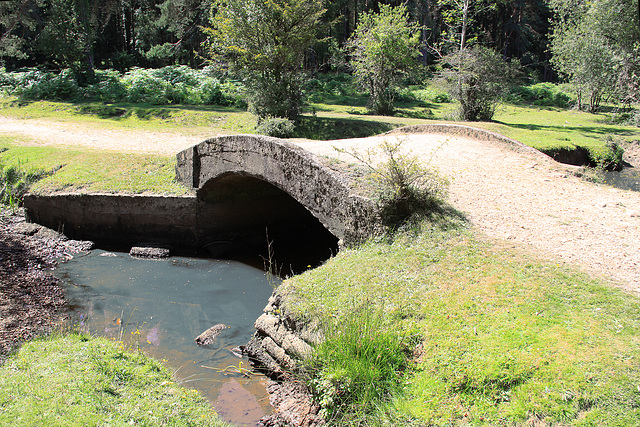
{"x":92,"y":170}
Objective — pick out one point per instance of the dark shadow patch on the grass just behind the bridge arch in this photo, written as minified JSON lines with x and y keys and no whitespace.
{"x":328,"y":128}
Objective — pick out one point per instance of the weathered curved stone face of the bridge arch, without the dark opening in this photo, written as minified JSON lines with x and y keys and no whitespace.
{"x":224,"y":162}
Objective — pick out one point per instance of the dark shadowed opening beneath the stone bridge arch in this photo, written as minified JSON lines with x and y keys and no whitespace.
{"x":261,"y":224}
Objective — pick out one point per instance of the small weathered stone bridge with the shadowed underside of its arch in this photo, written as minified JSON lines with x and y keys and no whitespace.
{"x":257,"y":182}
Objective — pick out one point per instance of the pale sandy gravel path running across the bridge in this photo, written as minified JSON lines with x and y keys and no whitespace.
{"x":520,"y":196}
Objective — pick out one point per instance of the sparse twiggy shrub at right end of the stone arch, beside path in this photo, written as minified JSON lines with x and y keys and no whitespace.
{"x":403,"y":185}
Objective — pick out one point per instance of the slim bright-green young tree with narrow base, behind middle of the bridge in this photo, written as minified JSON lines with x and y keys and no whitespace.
{"x":383,"y":48}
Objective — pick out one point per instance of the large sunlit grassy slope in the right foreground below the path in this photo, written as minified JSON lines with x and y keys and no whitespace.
{"x":505,"y":338}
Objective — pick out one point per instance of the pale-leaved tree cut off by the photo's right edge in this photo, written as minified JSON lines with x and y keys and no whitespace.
{"x":596,"y":46}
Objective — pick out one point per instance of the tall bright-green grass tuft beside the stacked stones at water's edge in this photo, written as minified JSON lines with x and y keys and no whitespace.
{"x":358,"y":365}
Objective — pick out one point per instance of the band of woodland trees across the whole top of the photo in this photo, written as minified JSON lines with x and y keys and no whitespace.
{"x":594,"y":45}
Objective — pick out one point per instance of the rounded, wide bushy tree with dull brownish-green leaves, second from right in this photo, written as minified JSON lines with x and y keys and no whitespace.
{"x":477,"y":77}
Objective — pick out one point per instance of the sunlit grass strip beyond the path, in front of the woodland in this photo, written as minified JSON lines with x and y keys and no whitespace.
{"x":334,"y":117}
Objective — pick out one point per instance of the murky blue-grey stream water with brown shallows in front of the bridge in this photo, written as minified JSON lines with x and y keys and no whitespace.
{"x":162,"y":305}
